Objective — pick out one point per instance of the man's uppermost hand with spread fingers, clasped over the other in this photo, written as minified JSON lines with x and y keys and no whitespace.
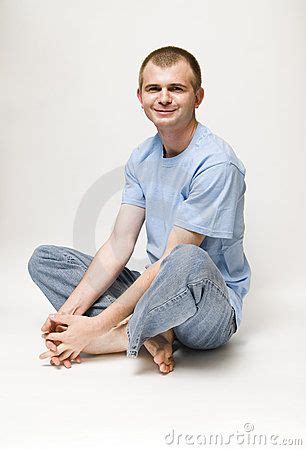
{"x":81,"y":330}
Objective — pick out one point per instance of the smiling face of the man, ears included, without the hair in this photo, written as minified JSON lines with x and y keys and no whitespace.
{"x":167,"y":95}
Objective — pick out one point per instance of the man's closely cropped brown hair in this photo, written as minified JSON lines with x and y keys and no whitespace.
{"x":167,"y":57}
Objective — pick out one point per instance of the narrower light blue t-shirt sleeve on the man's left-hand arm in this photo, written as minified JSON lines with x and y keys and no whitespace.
{"x":132,"y":192}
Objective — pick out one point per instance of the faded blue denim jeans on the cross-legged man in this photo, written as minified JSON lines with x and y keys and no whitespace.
{"x":188,"y":295}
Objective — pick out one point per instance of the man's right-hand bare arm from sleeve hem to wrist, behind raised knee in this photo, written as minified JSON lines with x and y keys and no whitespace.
{"x":126,"y":303}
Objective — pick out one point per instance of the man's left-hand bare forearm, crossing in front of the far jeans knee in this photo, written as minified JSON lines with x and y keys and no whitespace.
{"x":105,"y":267}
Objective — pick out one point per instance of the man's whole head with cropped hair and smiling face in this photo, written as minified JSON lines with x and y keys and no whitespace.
{"x":170,"y":87}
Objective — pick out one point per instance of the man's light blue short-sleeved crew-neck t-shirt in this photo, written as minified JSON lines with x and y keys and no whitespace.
{"x":202,"y":190}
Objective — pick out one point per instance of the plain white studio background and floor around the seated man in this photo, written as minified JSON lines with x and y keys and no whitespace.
{"x":69,"y":117}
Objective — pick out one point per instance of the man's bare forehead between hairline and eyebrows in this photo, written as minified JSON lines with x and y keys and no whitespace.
{"x":180,"y":72}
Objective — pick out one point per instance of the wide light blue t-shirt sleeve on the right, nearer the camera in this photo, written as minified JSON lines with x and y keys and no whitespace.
{"x":211,"y":206}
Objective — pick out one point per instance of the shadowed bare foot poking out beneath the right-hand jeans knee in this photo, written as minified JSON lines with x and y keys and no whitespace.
{"x":160,"y":347}
